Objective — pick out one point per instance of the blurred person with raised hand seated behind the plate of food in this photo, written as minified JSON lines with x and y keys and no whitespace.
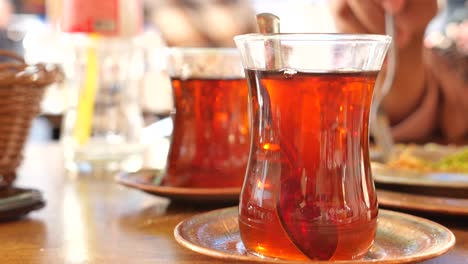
{"x":429,"y":97}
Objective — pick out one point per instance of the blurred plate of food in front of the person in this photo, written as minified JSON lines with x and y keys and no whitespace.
{"x":432,"y":169}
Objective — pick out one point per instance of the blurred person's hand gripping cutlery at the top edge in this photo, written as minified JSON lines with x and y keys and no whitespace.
{"x":367,"y":16}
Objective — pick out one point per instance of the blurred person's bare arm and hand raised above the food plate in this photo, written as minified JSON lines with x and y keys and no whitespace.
{"x":410,"y":91}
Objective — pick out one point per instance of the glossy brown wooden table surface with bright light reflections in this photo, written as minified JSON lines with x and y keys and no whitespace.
{"x":98,"y":221}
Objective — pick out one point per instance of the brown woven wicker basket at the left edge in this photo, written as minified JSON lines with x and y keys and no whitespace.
{"x":21,"y":90}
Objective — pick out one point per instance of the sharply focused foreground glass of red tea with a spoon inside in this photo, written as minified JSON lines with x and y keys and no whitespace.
{"x":308,"y":191}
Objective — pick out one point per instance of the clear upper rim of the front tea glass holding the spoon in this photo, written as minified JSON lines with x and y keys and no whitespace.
{"x":316,"y":37}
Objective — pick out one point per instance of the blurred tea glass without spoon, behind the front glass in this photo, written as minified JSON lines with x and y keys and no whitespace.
{"x":211,"y":138}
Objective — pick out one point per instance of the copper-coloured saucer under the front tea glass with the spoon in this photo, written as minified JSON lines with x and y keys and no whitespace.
{"x":401,"y":238}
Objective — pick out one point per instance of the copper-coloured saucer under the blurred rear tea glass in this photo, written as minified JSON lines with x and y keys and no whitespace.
{"x":147,"y":180}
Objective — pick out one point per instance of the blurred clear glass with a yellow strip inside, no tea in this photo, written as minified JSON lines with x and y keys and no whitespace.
{"x":103,"y":122}
